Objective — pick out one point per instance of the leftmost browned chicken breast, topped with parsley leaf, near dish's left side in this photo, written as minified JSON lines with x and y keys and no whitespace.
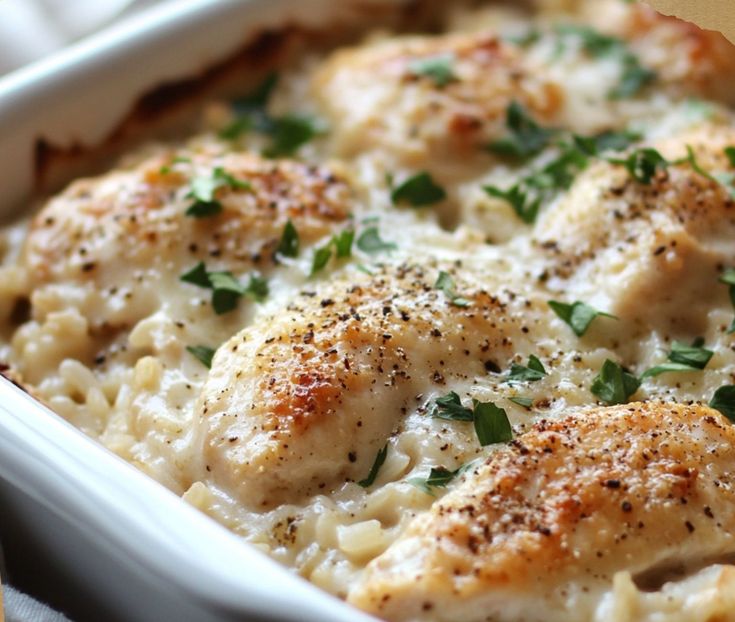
{"x":117,"y":245}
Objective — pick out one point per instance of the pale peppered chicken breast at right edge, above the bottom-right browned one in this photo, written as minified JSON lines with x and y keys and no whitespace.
{"x":649,"y":250}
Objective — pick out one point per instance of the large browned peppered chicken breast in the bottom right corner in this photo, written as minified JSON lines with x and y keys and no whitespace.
{"x":544,"y":527}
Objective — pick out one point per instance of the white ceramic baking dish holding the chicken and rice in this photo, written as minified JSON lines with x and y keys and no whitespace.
{"x":113,"y":536}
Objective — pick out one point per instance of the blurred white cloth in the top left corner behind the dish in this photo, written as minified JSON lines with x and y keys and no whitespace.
{"x":31,"y":29}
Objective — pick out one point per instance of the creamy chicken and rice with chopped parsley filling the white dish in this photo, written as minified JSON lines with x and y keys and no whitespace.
{"x":201,"y":309}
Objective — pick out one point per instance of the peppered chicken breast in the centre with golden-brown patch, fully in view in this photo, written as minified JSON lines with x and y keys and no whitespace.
{"x":302,"y":401}
